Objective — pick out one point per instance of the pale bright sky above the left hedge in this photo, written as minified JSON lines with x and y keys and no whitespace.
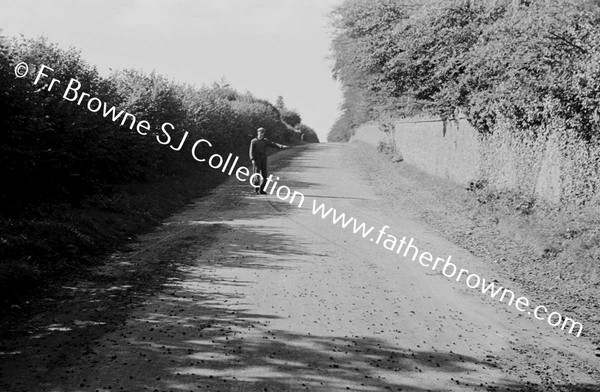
{"x":267,"y":47}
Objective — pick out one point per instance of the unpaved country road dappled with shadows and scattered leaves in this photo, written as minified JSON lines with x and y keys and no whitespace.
{"x":249,"y":293}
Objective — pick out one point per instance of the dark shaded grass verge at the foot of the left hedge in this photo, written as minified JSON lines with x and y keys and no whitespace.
{"x":56,"y":242}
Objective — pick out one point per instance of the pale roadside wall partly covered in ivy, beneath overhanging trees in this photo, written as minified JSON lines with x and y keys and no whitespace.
{"x":454,"y":150}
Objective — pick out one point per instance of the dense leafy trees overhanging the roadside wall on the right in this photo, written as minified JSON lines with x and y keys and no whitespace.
{"x":531,"y":66}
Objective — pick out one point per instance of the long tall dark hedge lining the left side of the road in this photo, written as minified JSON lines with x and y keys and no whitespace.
{"x":55,"y":150}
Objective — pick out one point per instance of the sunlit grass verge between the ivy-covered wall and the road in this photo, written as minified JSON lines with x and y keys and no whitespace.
{"x":552,"y":254}
